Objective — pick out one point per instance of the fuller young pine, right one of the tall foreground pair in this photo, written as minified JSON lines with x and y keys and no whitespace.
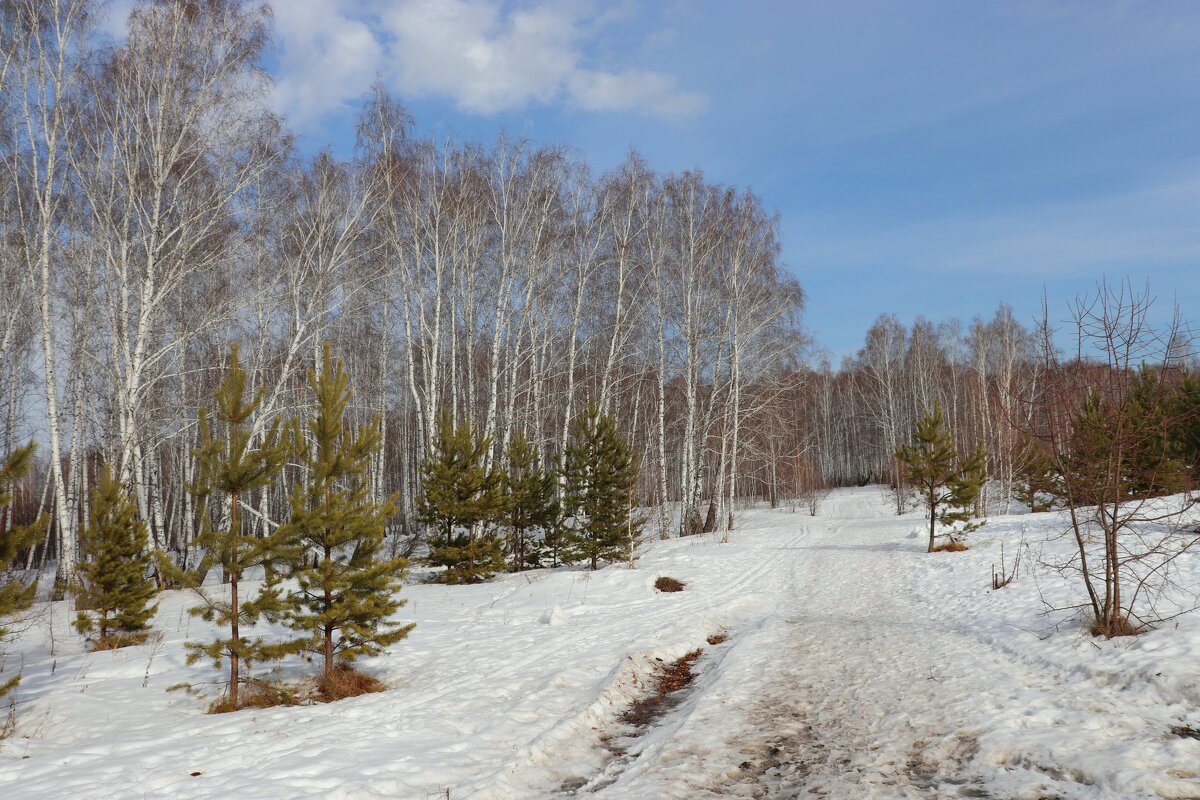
{"x":349,"y":592}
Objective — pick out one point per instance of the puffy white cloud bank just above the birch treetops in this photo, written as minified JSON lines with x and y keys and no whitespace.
{"x":483,"y":56}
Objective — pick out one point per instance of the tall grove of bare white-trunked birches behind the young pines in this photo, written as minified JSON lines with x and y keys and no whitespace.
{"x":157,"y":212}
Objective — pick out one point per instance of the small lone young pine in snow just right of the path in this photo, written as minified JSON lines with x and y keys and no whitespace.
{"x":947,"y":485}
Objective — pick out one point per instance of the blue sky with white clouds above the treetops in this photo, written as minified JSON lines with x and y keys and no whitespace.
{"x":926,"y":158}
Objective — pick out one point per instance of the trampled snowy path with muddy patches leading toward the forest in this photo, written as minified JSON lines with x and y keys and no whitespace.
{"x":880,"y":678}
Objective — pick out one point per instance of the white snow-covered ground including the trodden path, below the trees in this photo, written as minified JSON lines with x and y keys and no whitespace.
{"x":856,"y":666}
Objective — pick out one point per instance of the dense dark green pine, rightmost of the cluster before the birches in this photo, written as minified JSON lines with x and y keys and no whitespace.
{"x":601,"y":474}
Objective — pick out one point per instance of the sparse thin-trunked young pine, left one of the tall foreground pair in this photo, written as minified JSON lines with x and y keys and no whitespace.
{"x":232,"y":465}
